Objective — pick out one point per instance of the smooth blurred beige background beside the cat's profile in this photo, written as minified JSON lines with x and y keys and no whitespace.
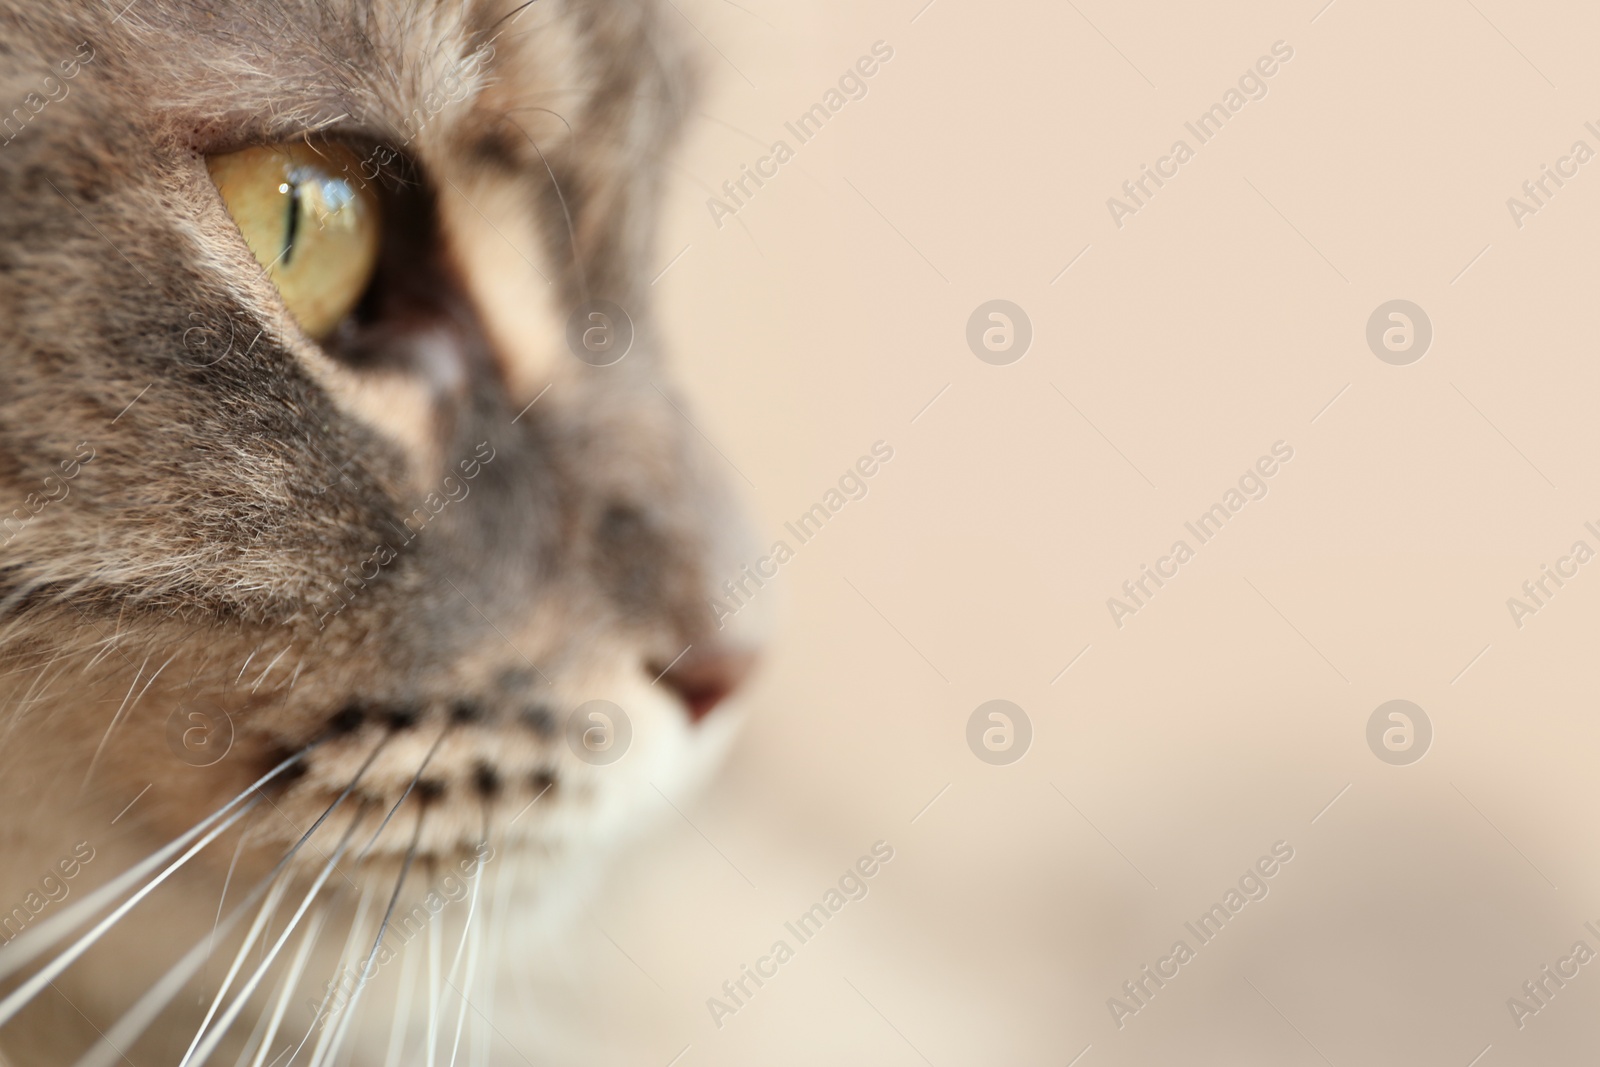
{"x":1228,"y":714}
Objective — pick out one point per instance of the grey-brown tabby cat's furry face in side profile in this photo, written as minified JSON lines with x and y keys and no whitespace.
{"x":406,"y":549}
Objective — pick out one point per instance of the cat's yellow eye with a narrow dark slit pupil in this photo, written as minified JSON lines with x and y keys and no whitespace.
{"x":310,"y":220}
